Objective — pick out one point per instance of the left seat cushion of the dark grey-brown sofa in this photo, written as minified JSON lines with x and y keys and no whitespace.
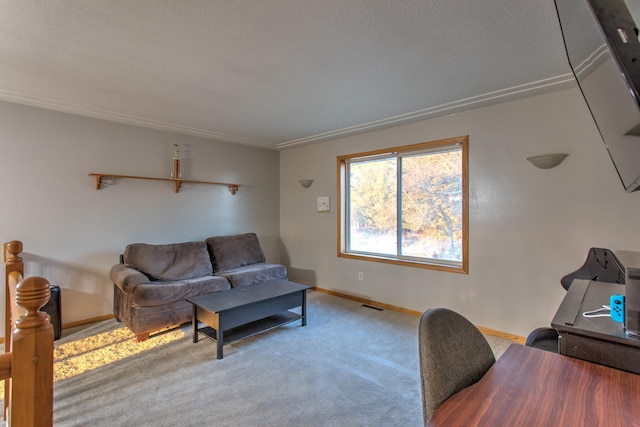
{"x":159,"y":293}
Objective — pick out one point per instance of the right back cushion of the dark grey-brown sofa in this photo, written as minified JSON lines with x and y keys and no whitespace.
{"x":229,"y":252}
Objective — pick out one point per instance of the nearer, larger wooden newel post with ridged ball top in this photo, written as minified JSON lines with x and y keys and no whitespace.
{"x":32,"y":361}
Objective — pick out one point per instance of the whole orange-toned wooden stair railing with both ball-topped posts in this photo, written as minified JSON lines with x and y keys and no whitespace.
{"x":27,"y":364}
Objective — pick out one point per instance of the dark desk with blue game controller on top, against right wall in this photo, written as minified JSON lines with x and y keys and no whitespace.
{"x":597,"y":339}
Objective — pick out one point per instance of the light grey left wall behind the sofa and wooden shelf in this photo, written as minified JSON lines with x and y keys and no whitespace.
{"x":73,"y":234}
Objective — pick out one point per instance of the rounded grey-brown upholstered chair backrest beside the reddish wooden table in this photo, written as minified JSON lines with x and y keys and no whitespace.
{"x":453,"y":355}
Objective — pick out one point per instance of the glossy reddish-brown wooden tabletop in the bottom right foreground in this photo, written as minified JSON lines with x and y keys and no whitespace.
{"x":532,"y":387}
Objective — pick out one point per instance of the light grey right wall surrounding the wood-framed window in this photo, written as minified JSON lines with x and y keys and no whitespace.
{"x":528,"y":227}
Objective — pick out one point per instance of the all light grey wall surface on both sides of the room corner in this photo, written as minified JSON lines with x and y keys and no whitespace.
{"x":528,"y":227}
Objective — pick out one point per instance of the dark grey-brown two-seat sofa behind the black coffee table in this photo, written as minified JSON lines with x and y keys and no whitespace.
{"x":152,"y":281}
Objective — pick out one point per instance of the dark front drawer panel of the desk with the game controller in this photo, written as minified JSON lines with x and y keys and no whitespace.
{"x":607,"y":353}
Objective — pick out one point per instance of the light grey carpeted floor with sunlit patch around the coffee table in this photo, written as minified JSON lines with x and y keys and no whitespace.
{"x":350,"y":366}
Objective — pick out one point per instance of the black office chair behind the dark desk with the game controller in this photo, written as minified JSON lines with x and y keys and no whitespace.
{"x":601,"y":265}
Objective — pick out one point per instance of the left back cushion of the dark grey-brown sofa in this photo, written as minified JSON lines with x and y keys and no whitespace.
{"x":177,"y":261}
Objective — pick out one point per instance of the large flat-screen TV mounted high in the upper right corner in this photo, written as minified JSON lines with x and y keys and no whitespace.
{"x":601,"y":40}
